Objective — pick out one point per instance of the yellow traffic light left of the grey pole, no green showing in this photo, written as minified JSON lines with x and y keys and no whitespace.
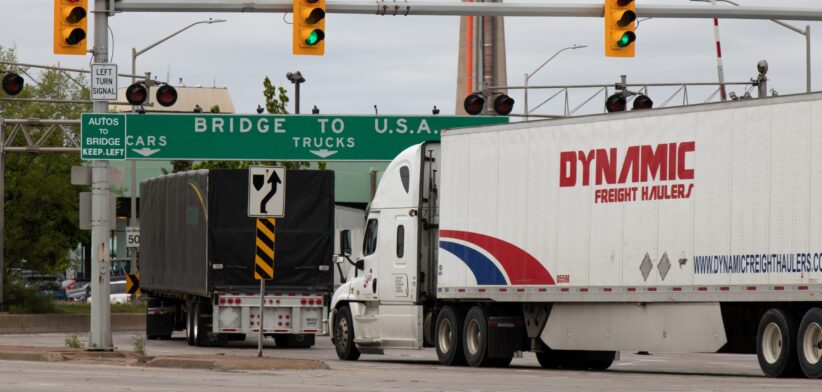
{"x":70,"y":26}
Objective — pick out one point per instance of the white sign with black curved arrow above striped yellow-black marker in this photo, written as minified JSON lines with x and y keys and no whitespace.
{"x":266,"y":191}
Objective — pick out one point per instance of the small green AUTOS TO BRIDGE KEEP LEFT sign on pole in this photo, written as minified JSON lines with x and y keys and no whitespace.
{"x":103,"y":136}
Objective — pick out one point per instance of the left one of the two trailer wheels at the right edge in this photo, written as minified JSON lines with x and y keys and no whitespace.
{"x":776,"y":344}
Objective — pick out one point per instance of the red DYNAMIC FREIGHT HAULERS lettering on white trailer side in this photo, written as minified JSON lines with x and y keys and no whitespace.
{"x":644,"y":163}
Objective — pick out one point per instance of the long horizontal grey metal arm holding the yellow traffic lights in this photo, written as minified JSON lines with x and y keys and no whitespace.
{"x":411,"y":7}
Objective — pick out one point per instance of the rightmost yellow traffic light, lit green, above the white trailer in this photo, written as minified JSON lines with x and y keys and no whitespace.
{"x":620,"y":26}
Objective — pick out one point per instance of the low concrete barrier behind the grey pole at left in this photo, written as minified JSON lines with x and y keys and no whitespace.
{"x":53,"y":323}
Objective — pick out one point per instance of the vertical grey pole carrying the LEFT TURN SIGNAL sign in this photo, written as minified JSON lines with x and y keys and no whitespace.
{"x":100,"y":334}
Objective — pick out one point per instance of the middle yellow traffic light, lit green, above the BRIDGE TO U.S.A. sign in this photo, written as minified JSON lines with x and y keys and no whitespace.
{"x":309,"y":27}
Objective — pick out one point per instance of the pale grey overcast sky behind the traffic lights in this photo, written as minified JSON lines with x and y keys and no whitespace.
{"x":406,"y":65}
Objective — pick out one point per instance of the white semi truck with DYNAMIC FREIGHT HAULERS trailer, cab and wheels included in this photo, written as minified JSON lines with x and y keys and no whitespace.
{"x":690,"y":229}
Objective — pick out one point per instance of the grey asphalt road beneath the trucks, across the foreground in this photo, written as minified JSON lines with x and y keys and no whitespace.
{"x":398,"y":370}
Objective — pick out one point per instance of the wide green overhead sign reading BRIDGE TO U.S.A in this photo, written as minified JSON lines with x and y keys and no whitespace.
{"x":201,"y":136}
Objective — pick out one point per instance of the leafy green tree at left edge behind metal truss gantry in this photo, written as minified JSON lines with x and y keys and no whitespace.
{"x":41,"y":204}
